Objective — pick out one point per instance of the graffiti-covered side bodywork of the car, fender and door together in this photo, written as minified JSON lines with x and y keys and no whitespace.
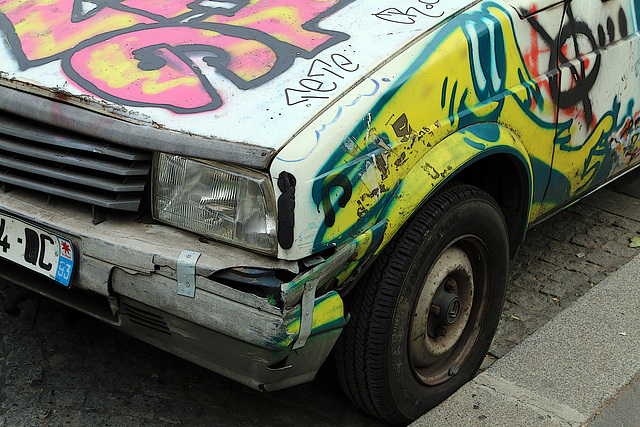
{"x":484,"y":65}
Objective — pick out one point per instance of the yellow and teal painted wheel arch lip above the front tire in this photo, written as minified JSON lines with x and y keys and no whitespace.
{"x":486,"y":155}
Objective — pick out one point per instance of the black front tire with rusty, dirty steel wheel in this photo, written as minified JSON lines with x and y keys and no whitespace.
{"x":459,"y":234}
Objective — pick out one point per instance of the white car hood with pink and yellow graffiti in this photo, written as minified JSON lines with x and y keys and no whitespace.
{"x":246,"y":71}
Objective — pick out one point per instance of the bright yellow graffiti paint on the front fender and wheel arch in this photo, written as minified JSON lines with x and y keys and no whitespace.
{"x":451,"y":94}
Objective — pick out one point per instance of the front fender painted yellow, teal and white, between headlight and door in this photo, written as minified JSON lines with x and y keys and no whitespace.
{"x":365,"y":169}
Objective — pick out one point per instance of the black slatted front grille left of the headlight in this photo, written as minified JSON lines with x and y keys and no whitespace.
{"x":69,"y":165}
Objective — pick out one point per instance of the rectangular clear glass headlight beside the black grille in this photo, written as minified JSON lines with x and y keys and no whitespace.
{"x":223,"y":202}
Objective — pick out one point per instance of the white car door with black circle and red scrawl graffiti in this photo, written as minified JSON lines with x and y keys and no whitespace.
{"x":597,"y":97}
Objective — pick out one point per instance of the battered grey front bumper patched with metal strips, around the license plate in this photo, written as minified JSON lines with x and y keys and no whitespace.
{"x":126,"y":275}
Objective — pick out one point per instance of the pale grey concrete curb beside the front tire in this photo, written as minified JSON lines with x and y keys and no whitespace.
{"x":565,"y":372}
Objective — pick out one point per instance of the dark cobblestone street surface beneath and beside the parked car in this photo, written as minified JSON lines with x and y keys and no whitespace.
{"x":60,"y":368}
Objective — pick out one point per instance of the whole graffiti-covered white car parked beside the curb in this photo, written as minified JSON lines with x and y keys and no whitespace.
{"x":253,"y":184}
